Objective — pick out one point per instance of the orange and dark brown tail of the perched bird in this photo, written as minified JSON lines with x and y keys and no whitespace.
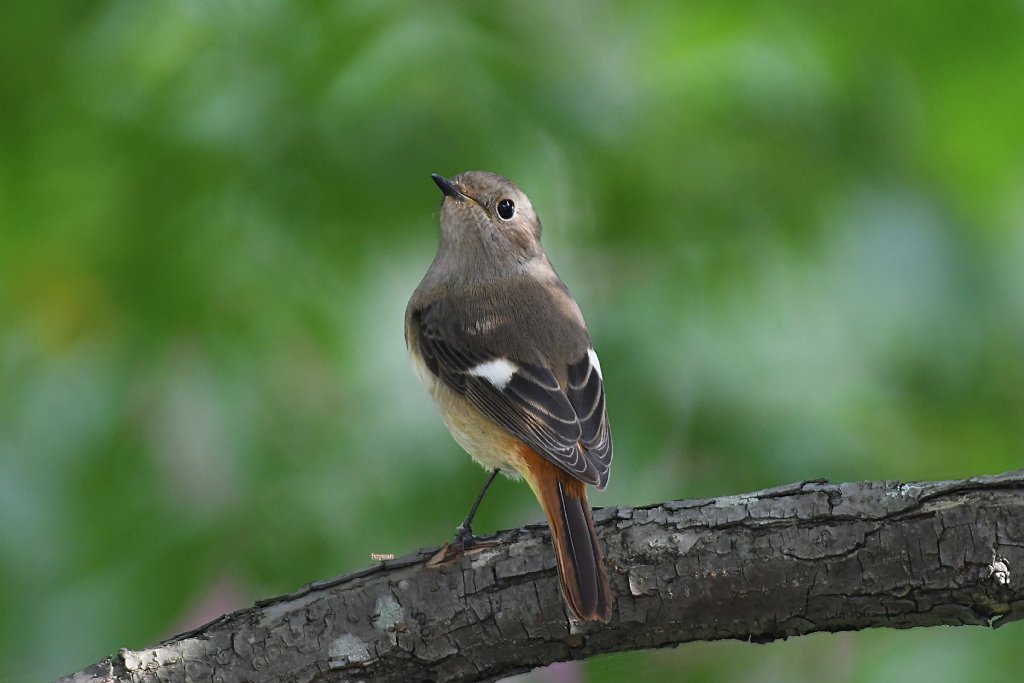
{"x":581,"y":568}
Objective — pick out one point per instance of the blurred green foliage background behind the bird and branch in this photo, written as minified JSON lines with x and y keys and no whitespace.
{"x":797,"y":232}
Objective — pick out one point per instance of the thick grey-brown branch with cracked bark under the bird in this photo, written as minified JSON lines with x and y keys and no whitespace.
{"x":777,"y":564}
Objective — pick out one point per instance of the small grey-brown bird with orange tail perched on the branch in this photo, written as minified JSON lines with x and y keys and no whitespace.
{"x":503,"y":349}
